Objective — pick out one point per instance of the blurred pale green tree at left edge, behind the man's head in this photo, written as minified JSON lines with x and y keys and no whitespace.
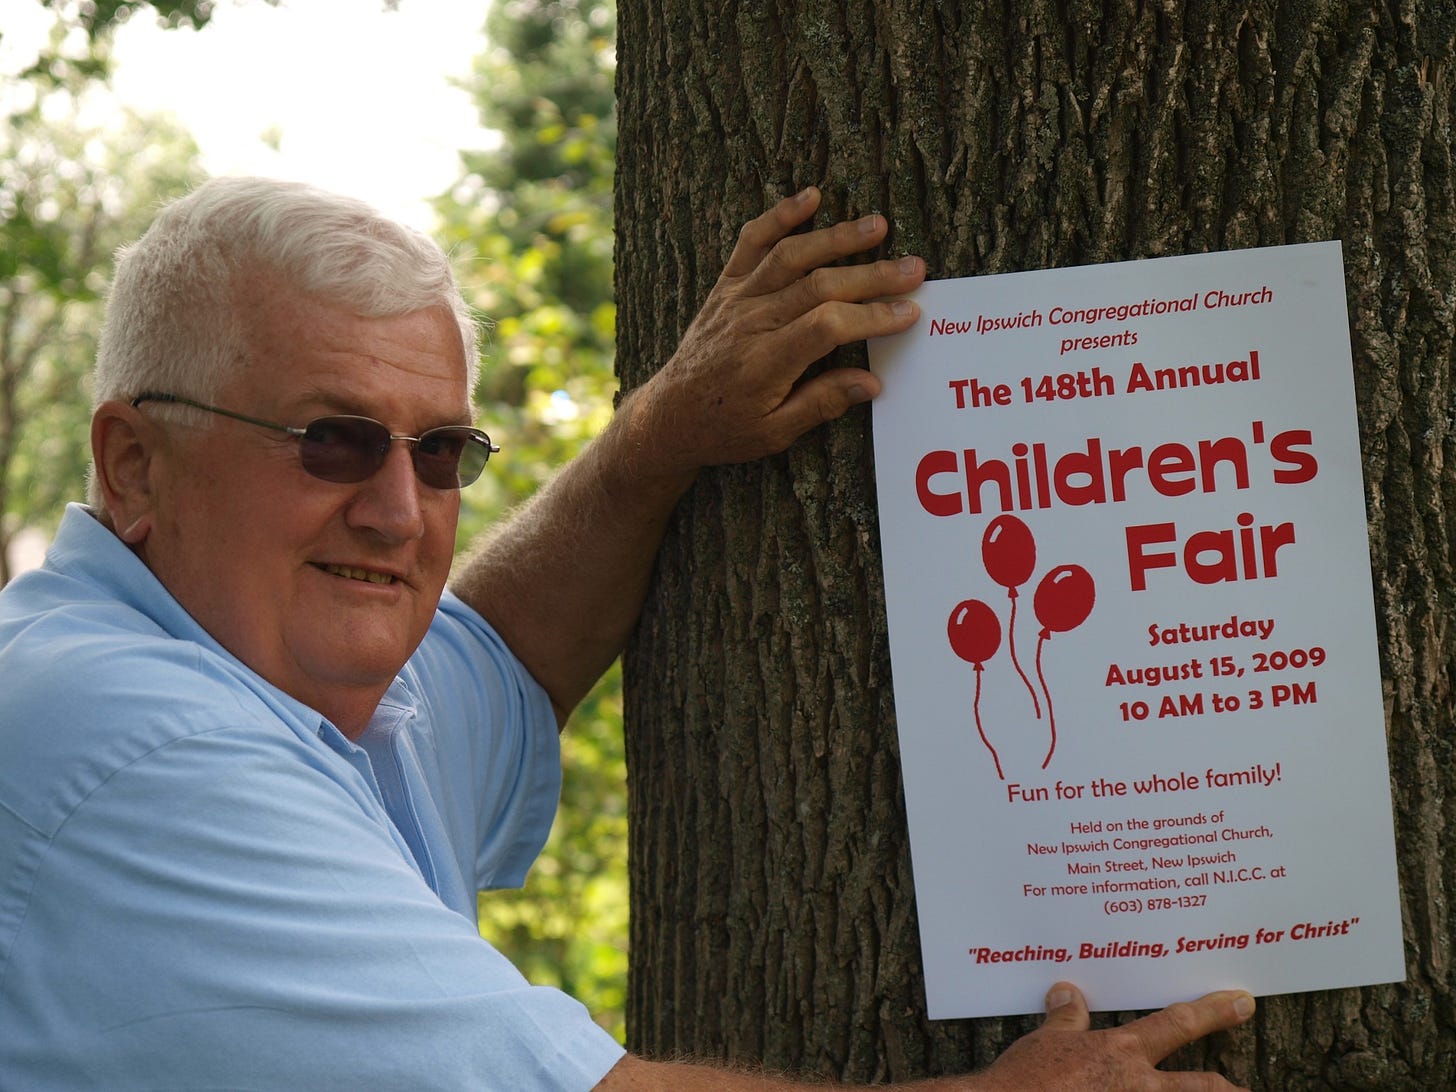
{"x":79,"y":177}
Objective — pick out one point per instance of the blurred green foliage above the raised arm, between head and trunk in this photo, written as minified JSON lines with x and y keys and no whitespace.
{"x":531,"y":226}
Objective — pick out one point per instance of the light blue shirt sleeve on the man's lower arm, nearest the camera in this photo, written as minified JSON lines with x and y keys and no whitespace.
{"x":223,"y":912}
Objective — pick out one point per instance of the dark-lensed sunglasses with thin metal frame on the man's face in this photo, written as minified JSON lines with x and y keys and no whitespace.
{"x":352,"y":449}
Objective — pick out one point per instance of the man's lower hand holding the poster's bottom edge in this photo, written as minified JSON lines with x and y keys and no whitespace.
{"x":1065,"y":1056}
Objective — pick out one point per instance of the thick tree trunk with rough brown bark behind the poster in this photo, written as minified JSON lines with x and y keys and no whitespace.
{"x":772,"y":905}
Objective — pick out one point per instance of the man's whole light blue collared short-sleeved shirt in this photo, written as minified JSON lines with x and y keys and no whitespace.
{"x":205,"y":886}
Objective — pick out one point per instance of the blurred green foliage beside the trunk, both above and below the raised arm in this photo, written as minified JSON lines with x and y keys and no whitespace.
{"x":531,"y":226}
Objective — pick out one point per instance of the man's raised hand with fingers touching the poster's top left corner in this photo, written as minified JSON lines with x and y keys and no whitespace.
{"x":733,"y":391}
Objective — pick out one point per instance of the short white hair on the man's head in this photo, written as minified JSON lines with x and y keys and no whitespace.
{"x":173,"y":318}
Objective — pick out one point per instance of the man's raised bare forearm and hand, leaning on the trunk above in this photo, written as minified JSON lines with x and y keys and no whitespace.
{"x":564,"y":580}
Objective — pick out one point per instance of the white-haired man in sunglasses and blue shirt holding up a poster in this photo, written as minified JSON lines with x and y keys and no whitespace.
{"x":260,"y":759}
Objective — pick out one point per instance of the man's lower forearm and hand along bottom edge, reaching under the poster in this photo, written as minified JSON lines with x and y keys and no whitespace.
{"x":1061,"y":1056}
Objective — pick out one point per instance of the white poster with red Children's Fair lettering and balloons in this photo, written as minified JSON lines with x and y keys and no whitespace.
{"x":1132,"y":634}
